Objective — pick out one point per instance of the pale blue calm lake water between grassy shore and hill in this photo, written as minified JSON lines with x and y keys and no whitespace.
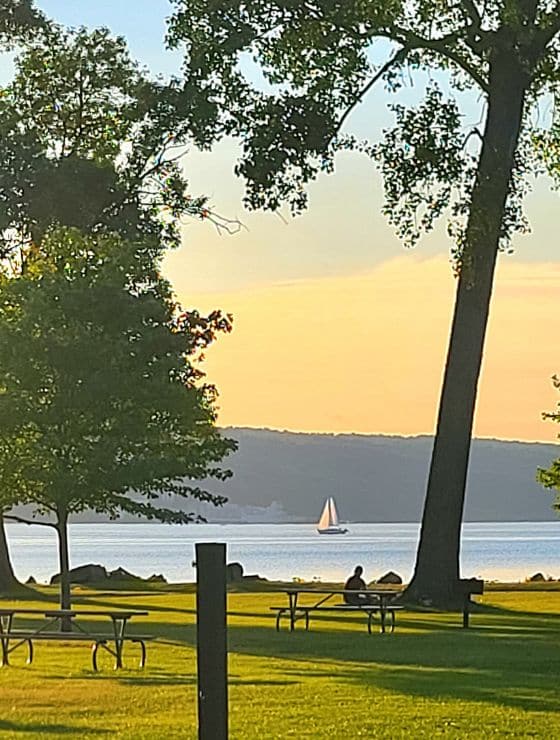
{"x":507,"y":551}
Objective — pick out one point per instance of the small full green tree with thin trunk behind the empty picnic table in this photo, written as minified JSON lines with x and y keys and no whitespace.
{"x":101,"y":404}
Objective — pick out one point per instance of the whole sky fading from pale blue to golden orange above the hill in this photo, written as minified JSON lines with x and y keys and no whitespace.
{"x":337,"y":327}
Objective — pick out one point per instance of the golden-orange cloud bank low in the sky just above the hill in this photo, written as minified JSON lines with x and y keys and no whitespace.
{"x":365,"y":353}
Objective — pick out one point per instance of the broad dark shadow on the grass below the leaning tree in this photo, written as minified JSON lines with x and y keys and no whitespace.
{"x":508,"y":660}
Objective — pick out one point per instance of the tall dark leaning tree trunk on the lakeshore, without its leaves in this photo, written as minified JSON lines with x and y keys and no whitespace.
{"x":436,"y":574}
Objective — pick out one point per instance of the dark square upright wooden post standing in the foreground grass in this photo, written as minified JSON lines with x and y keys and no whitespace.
{"x":211,"y":641}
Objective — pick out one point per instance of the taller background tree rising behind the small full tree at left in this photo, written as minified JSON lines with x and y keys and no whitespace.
{"x":87,"y":140}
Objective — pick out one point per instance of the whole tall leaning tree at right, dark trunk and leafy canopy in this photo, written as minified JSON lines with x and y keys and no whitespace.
{"x":315,"y":55}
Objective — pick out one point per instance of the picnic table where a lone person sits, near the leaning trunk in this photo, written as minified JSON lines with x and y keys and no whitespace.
{"x":375,"y":602}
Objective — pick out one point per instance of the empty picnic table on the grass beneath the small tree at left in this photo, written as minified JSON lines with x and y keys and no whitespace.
{"x":12,"y":637}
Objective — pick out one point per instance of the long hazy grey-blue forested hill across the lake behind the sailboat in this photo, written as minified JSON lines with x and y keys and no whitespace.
{"x":374,"y":478}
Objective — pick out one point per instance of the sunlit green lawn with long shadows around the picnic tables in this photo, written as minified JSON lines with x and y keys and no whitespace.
{"x":429,"y":679}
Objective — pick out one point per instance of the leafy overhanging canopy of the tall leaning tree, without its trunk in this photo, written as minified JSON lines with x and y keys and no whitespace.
{"x":316,"y":59}
